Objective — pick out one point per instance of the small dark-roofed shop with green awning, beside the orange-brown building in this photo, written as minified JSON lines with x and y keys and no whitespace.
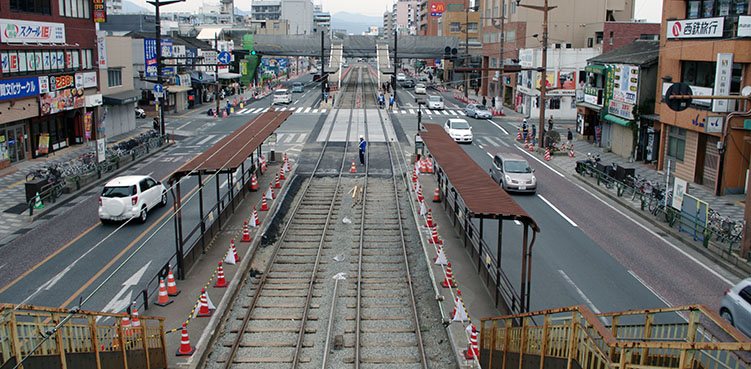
{"x":616,"y":99}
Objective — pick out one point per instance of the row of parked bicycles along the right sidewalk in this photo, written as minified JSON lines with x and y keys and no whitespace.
{"x":655,"y":198}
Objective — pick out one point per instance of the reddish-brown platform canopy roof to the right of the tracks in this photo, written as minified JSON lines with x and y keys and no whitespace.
{"x":480,"y":193}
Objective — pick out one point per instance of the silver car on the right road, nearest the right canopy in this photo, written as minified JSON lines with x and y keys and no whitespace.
{"x":513,"y":173}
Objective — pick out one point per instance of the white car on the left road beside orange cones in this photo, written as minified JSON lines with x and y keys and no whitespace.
{"x":129,"y":197}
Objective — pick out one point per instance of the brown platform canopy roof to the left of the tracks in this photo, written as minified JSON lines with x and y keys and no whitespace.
{"x":232,"y":150}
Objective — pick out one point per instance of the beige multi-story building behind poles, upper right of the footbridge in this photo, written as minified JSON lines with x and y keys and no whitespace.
{"x":577,"y":24}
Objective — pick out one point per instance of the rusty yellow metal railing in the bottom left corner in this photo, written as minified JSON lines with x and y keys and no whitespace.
{"x":80,"y":342}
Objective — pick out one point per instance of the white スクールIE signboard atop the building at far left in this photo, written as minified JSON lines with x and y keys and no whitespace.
{"x":18,"y":31}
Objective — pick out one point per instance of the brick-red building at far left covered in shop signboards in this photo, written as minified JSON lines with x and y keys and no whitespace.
{"x":48,"y":86}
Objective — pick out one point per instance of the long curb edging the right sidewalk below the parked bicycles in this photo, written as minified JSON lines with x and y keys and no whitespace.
{"x":739,"y":270}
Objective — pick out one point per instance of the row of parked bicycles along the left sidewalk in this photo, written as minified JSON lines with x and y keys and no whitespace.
{"x":57,"y":174}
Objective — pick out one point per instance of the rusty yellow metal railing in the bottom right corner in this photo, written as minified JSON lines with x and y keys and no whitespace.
{"x":687,"y":337}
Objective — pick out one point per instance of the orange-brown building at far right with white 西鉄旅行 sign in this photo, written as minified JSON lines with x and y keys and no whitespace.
{"x":706,"y":46}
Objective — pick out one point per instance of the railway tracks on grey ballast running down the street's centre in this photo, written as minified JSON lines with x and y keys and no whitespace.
{"x":335,"y":289}
